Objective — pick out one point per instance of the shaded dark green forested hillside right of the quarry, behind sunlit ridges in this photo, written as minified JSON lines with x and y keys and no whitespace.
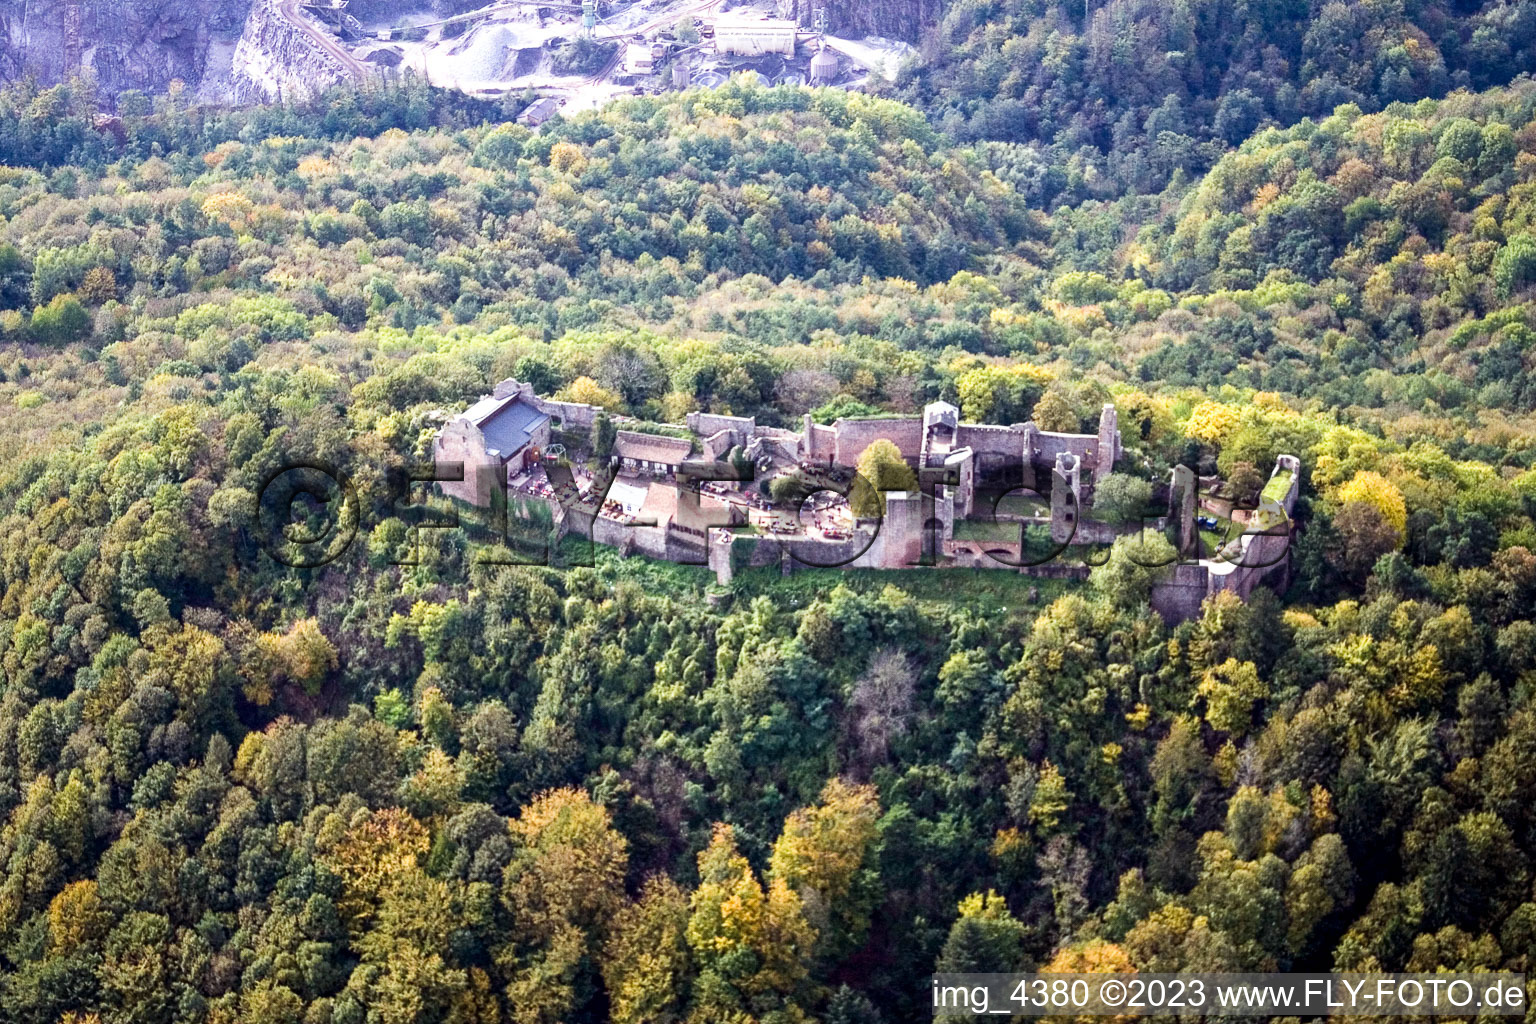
{"x":1121,"y":96}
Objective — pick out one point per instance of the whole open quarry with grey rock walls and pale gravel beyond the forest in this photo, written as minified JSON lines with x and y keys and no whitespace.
{"x":577,"y":55}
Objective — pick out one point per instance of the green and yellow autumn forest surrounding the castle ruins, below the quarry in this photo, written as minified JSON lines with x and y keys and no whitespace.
{"x":434,"y":788}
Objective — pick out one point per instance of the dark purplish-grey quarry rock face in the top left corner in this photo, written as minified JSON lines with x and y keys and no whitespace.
{"x":124,"y":44}
